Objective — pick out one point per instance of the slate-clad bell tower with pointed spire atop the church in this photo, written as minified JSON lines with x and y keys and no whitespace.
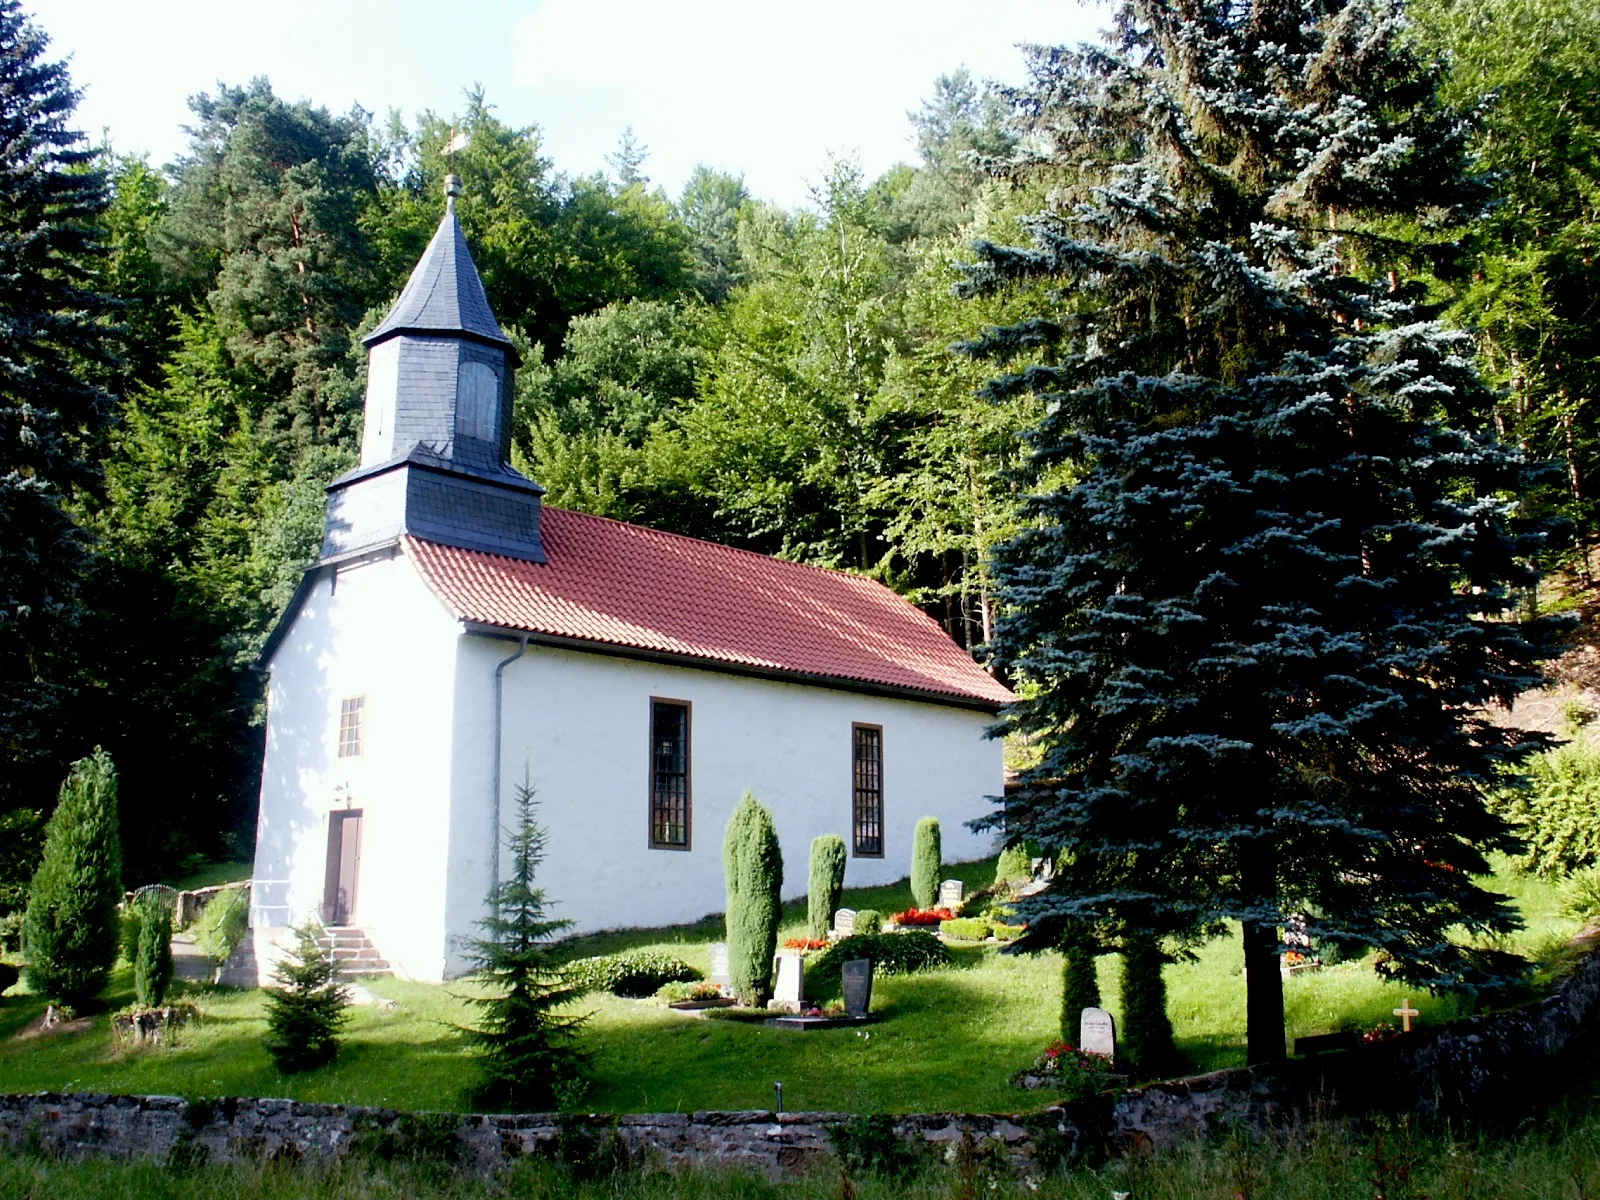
{"x":436,"y":449}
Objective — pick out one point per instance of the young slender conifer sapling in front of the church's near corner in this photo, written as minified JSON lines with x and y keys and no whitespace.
{"x":527,"y":1049}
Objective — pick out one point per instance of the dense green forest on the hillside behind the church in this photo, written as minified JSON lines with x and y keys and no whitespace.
{"x":185,"y":372}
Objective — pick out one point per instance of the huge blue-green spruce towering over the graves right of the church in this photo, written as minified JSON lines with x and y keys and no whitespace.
{"x":1262,"y":593}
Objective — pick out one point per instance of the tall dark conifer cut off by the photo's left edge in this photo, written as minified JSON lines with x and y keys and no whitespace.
{"x":54,"y":414}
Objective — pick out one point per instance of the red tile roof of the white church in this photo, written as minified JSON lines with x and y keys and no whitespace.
{"x":634,"y":588}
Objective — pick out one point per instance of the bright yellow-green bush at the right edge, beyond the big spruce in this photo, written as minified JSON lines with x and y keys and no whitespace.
{"x":1556,"y":809}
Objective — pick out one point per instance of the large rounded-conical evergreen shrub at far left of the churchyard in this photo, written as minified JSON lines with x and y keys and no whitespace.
{"x":71,"y":930}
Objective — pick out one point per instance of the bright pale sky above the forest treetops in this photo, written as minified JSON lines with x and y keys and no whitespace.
{"x":754,"y":87}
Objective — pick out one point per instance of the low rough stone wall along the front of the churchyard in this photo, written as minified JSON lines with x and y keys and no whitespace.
{"x":1470,"y":1066}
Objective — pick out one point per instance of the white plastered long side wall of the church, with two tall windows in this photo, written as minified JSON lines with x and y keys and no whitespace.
{"x":580,"y":726}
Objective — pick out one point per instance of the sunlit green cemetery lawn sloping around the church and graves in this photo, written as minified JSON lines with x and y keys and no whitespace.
{"x":950,"y":1041}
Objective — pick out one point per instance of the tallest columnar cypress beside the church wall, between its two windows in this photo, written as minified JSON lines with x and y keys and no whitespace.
{"x":754,"y":874}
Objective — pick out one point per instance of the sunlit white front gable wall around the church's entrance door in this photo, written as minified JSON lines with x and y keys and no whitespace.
{"x":374,"y":630}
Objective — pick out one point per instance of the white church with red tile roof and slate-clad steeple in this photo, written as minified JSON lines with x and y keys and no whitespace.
{"x":458,"y":638}
